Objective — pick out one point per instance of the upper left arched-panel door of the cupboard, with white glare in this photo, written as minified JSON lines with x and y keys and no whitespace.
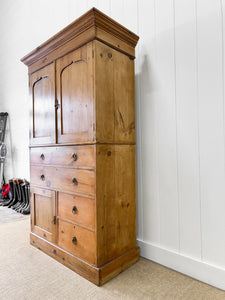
{"x":42,"y":89}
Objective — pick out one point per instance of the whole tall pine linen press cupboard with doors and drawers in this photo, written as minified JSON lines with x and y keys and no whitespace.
{"x":82,"y":147}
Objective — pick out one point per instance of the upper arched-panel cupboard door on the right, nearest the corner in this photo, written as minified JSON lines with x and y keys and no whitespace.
{"x":74,"y":76}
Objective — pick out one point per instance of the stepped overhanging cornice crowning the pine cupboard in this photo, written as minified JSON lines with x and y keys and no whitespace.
{"x":92,"y":25}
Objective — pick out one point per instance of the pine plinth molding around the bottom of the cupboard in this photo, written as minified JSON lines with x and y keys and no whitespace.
{"x":96,"y":275}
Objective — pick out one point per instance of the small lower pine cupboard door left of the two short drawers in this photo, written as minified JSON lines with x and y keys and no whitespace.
{"x":43,"y":213}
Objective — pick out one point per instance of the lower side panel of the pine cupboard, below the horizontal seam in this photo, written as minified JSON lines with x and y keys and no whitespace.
{"x":115,"y":200}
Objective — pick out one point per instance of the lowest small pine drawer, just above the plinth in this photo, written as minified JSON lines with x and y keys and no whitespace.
{"x":76,"y":240}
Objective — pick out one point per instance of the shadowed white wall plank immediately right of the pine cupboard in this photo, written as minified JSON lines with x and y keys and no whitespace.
{"x":148,"y":163}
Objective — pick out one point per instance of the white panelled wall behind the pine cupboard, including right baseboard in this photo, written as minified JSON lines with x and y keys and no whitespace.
{"x":180,"y":117}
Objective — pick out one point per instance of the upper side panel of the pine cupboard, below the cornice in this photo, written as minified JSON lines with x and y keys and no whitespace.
{"x":114,"y":95}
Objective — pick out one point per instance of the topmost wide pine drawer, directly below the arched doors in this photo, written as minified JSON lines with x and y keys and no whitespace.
{"x":69,"y":156}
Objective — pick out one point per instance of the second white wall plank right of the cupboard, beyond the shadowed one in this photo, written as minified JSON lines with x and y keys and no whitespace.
{"x":166,"y":128}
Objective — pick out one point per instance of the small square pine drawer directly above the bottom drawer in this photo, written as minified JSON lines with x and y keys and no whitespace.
{"x":77,"y":209}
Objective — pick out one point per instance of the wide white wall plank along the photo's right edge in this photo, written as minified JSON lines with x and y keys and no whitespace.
{"x":211,"y":125}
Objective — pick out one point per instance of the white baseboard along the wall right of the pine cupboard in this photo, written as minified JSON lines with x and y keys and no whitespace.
{"x":197,"y":269}
